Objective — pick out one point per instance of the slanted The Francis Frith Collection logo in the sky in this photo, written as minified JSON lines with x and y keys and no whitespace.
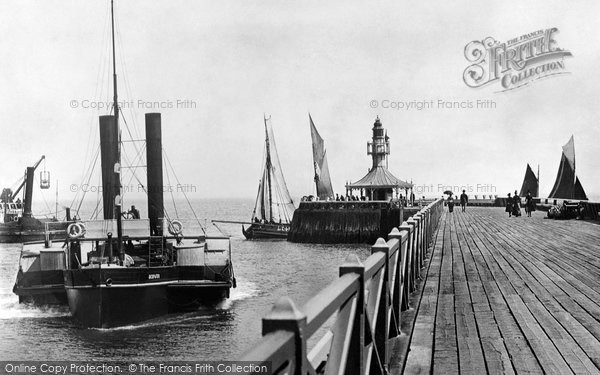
{"x":515,"y":63}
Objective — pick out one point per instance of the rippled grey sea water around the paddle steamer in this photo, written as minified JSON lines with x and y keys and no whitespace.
{"x":265,"y":271}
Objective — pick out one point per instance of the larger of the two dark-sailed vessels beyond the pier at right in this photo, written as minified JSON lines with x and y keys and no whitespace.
{"x":567,"y":184}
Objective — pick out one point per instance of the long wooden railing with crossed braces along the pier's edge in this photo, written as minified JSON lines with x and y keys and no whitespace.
{"x":360,"y":312}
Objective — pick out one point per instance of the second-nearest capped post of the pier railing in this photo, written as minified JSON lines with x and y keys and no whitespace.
{"x":356,"y":350}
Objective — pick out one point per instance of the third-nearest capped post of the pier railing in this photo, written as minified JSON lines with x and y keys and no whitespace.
{"x":381,"y":317}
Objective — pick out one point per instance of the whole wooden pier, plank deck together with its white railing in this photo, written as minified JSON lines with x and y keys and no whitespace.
{"x":474,"y":292}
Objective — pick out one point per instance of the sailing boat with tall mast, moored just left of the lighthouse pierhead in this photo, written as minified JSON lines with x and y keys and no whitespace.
{"x":274,"y":207}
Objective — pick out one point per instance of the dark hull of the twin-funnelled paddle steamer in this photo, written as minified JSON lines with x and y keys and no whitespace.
{"x":105,"y":298}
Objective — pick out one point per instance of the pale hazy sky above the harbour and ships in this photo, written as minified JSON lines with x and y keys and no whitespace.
{"x":214,"y":69}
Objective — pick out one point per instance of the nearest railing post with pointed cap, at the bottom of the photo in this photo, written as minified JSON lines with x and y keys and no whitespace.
{"x":285,"y":316}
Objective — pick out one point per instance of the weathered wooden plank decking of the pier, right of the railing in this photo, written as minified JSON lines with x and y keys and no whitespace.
{"x":508,"y":295}
